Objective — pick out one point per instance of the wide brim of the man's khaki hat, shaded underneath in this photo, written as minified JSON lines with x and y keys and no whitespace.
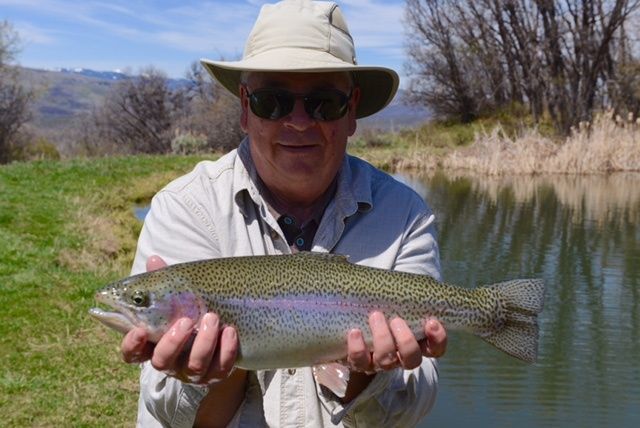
{"x":378,"y":85}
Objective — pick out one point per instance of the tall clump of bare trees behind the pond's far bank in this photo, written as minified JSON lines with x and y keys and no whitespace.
{"x":564,"y":57}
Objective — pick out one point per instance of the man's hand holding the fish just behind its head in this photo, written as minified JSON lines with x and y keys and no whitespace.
{"x":211,"y":356}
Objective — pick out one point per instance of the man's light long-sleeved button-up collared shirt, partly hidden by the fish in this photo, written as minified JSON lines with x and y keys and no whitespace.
{"x":217,"y":211}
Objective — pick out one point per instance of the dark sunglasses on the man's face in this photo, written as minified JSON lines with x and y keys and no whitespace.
{"x":323,"y":104}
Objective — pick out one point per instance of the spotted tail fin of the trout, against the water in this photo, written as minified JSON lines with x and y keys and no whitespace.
{"x":523,"y":299}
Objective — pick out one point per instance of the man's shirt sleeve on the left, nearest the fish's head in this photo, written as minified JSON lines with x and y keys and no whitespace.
{"x":173,"y":231}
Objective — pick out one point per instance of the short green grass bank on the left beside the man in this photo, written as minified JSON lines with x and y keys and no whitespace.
{"x":66,"y":228}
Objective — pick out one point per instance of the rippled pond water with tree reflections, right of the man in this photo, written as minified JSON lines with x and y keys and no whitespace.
{"x":582,"y":235}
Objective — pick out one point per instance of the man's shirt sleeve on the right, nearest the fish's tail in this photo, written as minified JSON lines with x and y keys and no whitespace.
{"x":398,"y":398}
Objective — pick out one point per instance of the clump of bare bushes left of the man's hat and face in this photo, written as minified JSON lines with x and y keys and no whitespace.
{"x":144,"y":115}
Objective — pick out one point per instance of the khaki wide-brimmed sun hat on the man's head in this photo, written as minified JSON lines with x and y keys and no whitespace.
{"x":306,"y":36}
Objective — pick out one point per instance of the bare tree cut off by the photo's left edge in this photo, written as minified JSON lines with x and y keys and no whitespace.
{"x":14,"y":99}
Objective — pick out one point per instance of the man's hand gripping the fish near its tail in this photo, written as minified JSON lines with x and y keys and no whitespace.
{"x":394,"y":345}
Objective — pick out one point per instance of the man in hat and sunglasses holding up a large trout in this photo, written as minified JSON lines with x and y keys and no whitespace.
{"x":290,"y":186}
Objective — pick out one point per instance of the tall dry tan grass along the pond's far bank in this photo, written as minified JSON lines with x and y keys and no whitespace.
{"x":606,"y":145}
